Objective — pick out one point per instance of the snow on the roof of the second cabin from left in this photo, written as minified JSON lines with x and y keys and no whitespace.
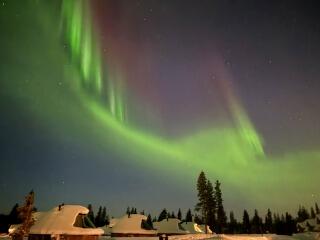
{"x":130,"y":225}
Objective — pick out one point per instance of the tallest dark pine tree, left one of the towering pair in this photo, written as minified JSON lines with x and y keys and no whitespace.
{"x":202,"y":205}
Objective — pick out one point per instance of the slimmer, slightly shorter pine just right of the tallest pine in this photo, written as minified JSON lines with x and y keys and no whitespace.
{"x":221,"y":214}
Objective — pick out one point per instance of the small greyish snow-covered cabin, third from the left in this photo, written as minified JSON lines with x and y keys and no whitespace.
{"x":170,"y":226}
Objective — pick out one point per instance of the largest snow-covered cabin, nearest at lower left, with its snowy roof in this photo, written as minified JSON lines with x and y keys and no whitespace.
{"x":67,"y":222}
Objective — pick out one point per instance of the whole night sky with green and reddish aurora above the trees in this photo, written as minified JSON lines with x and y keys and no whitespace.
{"x":123,"y":103}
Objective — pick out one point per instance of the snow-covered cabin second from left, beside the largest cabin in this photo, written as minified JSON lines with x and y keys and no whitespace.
{"x":133,"y":225}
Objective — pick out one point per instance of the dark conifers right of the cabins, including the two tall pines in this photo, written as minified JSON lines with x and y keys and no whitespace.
{"x":211,"y":212}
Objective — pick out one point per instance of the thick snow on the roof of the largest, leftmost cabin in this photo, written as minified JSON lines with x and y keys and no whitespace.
{"x":61,"y":221}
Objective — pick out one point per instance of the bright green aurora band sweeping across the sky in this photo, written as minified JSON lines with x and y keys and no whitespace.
{"x":92,"y":97}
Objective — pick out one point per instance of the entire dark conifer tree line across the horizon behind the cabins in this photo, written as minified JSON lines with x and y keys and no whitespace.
{"x":209,"y":211}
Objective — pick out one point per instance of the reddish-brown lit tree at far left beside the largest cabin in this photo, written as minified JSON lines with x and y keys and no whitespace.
{"x":25,"y":214}
